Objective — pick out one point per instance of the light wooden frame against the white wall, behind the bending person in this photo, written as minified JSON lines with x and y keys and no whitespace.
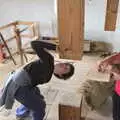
{"x":34,"y":34}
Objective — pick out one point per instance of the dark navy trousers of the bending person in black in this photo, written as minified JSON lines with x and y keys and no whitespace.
{"x":33,"y":100}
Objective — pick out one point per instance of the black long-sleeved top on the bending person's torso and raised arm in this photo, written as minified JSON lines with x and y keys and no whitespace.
{"x":41,"y":70}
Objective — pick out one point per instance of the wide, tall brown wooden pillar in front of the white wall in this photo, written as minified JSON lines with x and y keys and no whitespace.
{"x":71,"y":28}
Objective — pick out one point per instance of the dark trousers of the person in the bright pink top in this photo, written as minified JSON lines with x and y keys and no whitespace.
{"x":116,"y":106}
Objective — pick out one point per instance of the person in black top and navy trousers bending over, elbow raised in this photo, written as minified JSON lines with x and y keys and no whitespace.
{"x":21,"y":85}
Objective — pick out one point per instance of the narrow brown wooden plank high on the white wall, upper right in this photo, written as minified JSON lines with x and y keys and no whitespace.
{"x":111,"y":15}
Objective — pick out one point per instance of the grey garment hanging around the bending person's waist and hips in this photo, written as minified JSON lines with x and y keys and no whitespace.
{"x":17,"y":79}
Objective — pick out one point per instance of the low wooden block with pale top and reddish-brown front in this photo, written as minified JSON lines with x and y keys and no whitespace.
{"x":70,"y":107}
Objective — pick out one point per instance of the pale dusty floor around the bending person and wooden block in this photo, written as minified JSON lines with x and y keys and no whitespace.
{"x":55,"y":88}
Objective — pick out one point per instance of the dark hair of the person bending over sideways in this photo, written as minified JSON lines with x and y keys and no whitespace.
{"x":66,"y":75}
